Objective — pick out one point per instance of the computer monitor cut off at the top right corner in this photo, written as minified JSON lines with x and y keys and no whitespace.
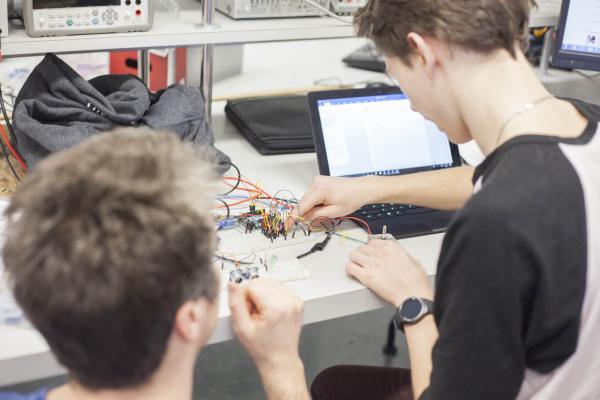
{"x":578,"y":36}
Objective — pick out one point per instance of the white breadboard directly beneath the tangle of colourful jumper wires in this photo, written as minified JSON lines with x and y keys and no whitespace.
{"x":234,"y":242}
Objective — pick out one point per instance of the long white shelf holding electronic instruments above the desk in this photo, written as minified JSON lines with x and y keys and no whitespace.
{"x":181,"y":31}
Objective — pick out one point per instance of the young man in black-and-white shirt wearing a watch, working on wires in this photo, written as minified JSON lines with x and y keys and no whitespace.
{"x":516,"y":312}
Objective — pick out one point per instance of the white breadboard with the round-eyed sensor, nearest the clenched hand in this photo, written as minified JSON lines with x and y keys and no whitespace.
{"x":280,"y":270}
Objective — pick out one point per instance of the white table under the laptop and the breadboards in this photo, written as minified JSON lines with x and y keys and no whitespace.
{"x":24,"y":355}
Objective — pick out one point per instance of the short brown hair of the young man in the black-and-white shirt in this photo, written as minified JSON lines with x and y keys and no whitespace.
{"x":477,"y":25}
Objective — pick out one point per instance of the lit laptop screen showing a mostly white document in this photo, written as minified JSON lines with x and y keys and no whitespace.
{"x":380,"y":135}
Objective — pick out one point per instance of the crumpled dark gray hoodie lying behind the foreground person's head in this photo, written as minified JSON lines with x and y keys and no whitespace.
{"x":57,"y":108}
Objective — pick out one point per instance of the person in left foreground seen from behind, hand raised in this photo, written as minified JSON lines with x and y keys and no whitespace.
{"x":110,"y":253}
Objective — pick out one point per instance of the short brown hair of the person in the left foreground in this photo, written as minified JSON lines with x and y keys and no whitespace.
{"x":106,"y":241}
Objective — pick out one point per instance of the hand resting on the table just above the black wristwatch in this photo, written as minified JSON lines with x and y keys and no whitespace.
{"x":387,"y":269}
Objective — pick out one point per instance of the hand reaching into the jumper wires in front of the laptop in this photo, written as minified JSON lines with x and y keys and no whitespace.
{"x":333,"y":197}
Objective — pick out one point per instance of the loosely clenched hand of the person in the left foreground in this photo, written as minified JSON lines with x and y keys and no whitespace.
{"x":267,"y":318}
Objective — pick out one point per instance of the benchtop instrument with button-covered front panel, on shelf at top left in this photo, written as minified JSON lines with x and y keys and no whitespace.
{"x":76,"y":17}
